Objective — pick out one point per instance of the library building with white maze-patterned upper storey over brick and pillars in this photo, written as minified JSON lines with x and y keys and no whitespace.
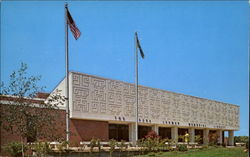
{"x":105,"y":109}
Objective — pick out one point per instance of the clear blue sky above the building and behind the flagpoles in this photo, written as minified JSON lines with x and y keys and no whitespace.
{"x":191,"y":47}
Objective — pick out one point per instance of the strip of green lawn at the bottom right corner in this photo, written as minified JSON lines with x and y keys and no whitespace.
{"x":210,"y":152}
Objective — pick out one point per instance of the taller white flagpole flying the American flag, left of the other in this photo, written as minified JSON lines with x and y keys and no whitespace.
{"x":67,"y":73}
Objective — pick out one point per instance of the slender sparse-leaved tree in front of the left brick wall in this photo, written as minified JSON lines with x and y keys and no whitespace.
{"x":27,"y":117}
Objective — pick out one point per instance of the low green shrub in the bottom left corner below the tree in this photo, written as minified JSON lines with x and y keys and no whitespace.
{"x":15,"y":148}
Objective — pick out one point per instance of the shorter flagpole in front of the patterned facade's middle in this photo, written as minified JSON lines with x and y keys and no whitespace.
{"x":136,"y":88}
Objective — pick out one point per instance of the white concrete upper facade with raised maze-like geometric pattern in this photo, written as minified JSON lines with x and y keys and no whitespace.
{"x":96,"y":98}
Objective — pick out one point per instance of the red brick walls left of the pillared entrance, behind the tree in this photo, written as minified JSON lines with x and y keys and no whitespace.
{"x":80,"y":130}
